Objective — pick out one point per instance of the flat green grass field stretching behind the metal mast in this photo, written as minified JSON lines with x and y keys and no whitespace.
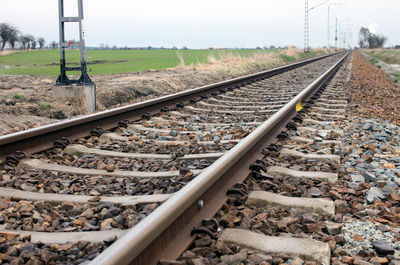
{"x":46,"y":62}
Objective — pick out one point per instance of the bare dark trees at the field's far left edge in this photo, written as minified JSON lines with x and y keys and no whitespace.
{"x":9,"y":34}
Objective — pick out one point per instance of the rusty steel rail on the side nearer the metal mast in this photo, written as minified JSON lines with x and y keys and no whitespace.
{"x":42,"y":138}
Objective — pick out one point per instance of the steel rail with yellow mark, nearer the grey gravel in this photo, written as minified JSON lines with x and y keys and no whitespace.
{"x":165,"y":233}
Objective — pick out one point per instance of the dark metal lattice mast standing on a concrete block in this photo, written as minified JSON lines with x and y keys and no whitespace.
{"x":63,"y":78}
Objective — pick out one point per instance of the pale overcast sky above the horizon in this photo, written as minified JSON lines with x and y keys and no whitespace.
{"x":206,"y":23}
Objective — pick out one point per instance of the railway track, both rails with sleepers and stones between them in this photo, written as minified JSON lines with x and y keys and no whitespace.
{"x":77,"y":182}
